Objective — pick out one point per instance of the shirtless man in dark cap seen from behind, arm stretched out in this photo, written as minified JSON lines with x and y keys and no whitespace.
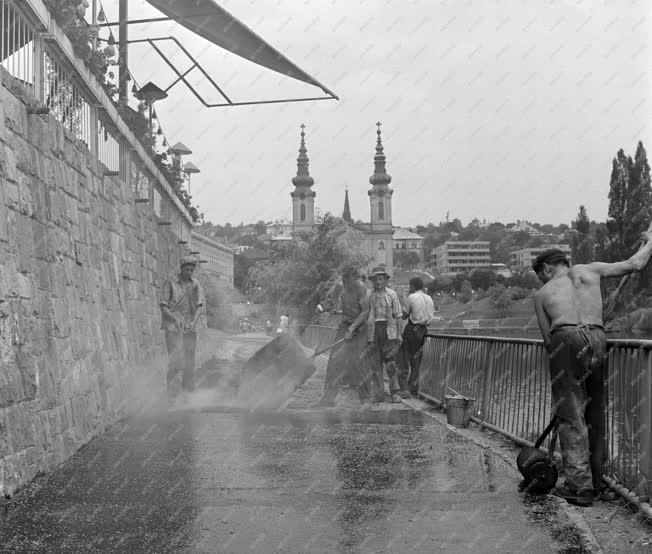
{"x":569,"y":312}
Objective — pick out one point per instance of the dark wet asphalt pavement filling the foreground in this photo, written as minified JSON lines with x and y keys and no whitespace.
{"x":219,"y":479}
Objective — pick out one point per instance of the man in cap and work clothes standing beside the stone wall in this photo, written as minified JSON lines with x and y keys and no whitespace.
{"x":182,"y":300}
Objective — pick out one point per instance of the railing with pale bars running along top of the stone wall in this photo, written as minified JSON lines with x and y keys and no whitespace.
{"x":38,"y":55}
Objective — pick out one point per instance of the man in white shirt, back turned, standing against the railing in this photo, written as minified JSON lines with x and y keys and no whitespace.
{"x":419,"y":313}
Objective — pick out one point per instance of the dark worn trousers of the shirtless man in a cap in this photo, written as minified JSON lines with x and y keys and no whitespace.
{"x":577,"y":372}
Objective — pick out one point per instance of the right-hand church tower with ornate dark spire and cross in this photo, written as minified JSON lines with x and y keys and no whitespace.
{"x":380,"y":201}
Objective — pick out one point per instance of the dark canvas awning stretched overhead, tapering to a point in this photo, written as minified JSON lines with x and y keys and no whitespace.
{"x":215,"y":24}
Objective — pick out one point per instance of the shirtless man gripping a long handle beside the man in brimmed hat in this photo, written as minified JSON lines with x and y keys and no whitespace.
{"x":344,"y":361}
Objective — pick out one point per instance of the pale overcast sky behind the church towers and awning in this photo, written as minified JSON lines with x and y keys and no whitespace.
{"x":501,"y":109}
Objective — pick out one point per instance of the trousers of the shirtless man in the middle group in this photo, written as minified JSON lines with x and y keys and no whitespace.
{"x":345,"y":365}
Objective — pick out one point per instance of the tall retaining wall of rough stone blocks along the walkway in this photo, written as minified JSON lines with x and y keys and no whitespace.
{"x":80,"y":270}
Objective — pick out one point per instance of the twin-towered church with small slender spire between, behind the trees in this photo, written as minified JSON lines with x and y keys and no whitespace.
{"x":378,"y":233}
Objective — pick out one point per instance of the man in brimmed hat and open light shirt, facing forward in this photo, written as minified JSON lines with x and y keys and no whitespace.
{"x":383,"y":333}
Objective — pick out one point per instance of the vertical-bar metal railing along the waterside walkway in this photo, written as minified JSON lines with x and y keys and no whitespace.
{"x":509,"y":379}
